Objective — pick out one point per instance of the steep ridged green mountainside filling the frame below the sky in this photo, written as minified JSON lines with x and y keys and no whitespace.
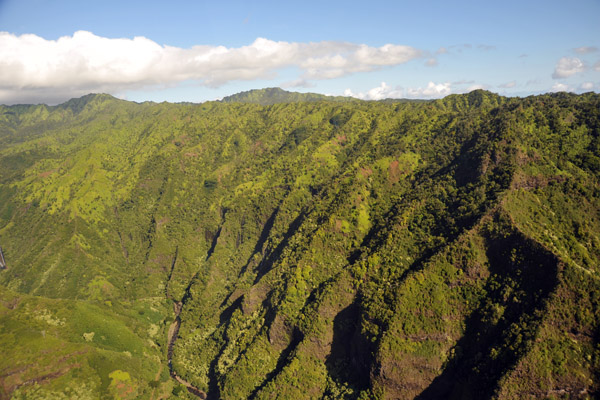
{"x":322,"y":249}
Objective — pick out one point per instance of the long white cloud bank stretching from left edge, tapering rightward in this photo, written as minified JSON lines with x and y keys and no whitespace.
{"x":35,"y":68}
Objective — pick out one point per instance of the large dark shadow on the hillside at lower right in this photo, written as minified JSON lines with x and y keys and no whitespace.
{"x":502,"y":329}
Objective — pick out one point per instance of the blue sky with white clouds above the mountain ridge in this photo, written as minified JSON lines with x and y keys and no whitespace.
{"x":194,"y":51}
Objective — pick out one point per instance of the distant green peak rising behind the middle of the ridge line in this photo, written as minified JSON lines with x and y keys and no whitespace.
{"x":270,"y":96}
